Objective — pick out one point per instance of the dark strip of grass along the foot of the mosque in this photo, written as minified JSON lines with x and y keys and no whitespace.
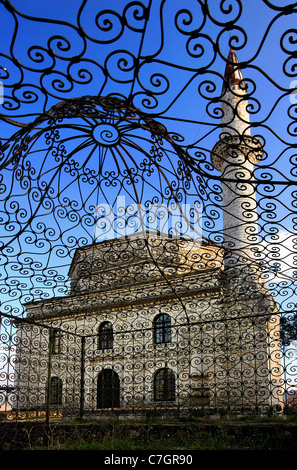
{"x":153,"y":433}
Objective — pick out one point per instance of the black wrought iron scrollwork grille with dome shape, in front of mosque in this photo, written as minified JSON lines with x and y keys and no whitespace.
{"x":148,"y":208}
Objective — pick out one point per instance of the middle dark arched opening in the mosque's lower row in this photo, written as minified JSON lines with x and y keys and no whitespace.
{"x":108,"y":389}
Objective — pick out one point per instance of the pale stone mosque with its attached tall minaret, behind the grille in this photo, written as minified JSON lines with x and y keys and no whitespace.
{"x":163,"y":322}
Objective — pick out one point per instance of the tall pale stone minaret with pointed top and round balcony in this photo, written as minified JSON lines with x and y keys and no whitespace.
{"x":235,"y":155}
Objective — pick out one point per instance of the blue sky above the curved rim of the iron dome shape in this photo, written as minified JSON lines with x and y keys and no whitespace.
{"x":179,"y":92}
